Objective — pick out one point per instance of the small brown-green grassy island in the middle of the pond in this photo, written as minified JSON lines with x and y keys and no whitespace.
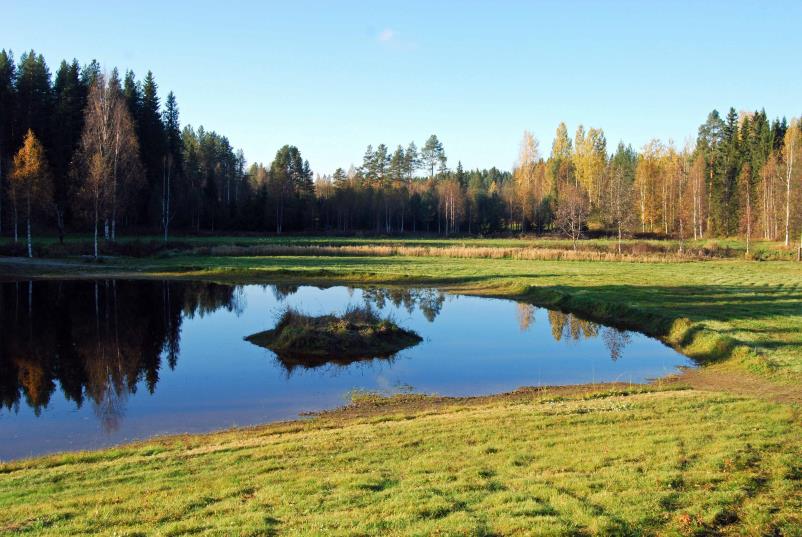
{"x":310,"y":341}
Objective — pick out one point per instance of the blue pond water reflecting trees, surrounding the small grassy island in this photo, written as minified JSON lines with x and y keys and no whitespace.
{"x":87,"y":364}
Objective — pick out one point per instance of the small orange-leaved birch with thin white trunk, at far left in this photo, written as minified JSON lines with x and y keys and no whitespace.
{"x":30,"y":180}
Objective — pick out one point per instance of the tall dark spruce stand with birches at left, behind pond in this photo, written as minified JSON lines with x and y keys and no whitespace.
{"x":89,"y":150}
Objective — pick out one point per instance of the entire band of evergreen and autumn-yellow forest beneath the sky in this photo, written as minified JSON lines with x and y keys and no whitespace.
{"x":89,"y":151}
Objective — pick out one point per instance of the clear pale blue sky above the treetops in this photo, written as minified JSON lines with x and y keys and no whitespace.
{"x":332,"y":77}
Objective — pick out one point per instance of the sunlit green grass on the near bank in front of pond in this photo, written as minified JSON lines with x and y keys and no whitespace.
{"x":537,"y":463}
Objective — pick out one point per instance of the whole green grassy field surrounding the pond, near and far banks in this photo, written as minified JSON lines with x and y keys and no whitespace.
{"x":721,"y":458}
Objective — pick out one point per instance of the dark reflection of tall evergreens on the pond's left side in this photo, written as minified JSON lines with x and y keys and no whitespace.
{"x":98,"y":339}
